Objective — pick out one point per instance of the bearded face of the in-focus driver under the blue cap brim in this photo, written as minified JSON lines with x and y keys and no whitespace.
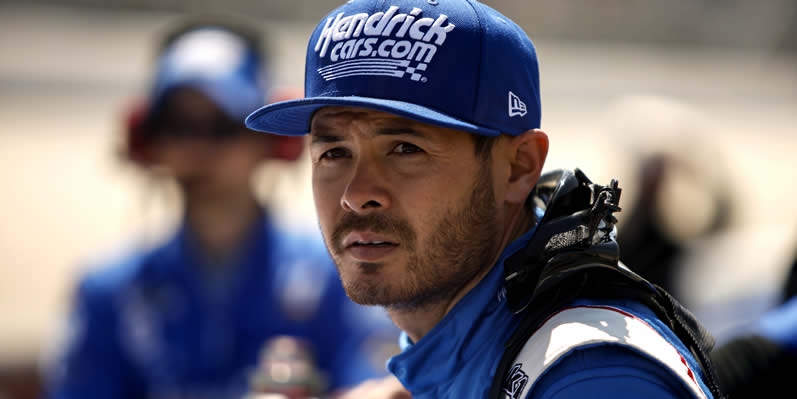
{"x":407,"y":210}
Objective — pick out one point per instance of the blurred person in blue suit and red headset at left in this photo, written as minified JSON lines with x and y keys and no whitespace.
{"x":189,"y":318}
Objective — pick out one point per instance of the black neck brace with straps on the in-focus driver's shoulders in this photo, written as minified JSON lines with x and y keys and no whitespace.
{"x":573,"y":254}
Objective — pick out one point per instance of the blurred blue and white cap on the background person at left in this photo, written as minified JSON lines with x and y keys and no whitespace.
{"x":217,"y":62}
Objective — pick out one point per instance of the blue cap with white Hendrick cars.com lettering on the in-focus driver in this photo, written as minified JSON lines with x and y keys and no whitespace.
{"x":452,"y":63}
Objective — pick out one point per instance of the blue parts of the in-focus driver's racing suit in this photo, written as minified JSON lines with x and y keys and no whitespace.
{"x":459,"y":356}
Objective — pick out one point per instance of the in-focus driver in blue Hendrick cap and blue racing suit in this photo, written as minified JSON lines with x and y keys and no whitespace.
{"x":424,"y":120}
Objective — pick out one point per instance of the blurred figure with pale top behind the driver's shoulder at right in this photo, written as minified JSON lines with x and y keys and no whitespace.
{"x":679,"y":197}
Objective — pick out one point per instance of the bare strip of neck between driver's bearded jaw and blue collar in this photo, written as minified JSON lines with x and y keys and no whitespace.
{"x":417,"y":322}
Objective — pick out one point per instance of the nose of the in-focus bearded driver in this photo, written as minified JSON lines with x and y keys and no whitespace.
{"x":367,"y":189}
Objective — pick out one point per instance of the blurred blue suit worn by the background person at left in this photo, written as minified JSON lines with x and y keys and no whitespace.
{"x":162,"y":324}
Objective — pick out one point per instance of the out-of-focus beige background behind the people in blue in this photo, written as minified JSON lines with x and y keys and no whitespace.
{"x":692,"y":105}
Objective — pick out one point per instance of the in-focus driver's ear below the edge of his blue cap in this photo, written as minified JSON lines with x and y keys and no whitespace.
{"x":527,"y":156}
